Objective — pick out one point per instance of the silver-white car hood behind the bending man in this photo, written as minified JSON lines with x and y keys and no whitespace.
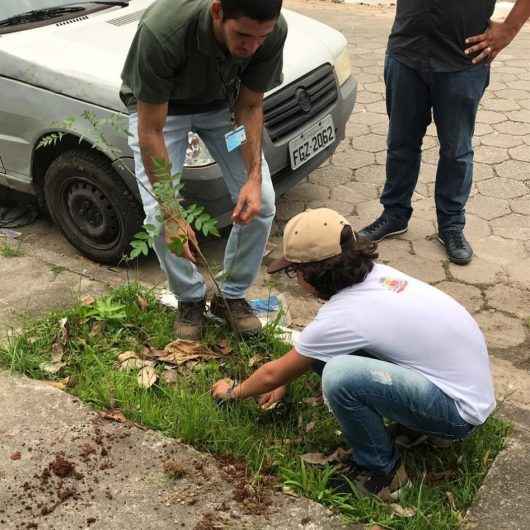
{"x":82,"y":58}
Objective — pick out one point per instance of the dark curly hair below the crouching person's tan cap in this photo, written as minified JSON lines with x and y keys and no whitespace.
{"x":331,"y":275}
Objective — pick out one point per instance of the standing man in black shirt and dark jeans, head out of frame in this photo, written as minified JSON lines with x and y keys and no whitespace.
{"x":437,"y":65}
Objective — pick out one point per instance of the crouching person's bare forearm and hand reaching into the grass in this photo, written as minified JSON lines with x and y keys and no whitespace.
{"x":268,"y":377}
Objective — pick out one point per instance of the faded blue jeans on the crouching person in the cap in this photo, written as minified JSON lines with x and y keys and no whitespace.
{"x":361,"y":391}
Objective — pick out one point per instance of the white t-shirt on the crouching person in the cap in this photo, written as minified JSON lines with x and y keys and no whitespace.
{"x":400,"y":319}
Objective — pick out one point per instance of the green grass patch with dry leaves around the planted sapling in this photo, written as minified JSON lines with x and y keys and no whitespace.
{"x":444,"y":480}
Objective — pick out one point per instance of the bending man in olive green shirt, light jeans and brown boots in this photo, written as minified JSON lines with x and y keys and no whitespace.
{"x":203,"y":66}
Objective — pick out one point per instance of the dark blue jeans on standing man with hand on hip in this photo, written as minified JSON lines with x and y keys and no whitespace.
{"x":412,"y":97}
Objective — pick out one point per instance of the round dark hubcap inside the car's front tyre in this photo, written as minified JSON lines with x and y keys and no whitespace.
{"x":91,"y":212}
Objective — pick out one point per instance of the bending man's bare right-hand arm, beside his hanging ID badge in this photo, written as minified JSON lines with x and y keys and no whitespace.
{"x":249,"y":112}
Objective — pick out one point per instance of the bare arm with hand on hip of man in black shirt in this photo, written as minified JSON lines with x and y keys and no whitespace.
{"x":499,"y":34}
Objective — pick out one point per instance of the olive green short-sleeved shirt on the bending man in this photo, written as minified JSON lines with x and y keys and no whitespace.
{"x":175,"y":58}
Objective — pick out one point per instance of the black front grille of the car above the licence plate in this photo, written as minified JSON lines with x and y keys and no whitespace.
{"x":294,"y":105}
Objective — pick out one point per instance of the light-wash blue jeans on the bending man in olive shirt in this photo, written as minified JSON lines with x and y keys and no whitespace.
{"x":246,"y":244}
